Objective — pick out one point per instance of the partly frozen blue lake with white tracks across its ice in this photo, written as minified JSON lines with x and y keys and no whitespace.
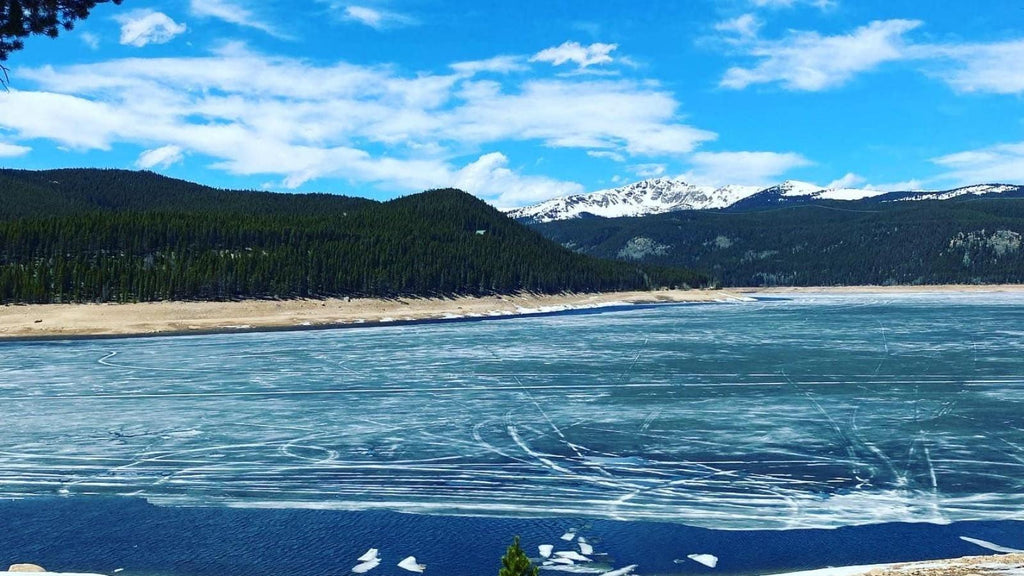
{"x":809,"y":414}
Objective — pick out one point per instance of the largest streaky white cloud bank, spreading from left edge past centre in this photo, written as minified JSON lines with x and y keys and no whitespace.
{"x":285,"y":118}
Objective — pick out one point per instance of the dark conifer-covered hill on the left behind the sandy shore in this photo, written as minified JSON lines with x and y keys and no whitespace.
{"x":122,"y":236}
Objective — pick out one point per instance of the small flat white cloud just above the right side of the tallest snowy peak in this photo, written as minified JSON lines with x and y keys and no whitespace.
{"x":751,"y":169}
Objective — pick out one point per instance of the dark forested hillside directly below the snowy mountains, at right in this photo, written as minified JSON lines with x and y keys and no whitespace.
{"x":826,"y":243}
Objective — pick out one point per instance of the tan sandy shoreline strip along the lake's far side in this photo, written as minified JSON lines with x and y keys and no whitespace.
{"x":89,"y":321}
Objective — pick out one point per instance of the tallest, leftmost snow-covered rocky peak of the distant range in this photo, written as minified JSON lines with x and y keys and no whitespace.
{"x":638,"y":199}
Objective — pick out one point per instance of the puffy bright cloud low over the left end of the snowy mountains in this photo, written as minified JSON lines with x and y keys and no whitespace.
{"x":491,"y":179}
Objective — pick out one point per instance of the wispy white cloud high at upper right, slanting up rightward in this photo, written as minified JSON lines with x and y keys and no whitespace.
{"x":807,"y":61}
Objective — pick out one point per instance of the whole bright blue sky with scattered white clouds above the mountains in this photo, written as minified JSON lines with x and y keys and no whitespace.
{"x":521,"y":102}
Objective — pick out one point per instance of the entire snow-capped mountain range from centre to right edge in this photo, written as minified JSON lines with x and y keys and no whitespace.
{"x":667,"y":195}
